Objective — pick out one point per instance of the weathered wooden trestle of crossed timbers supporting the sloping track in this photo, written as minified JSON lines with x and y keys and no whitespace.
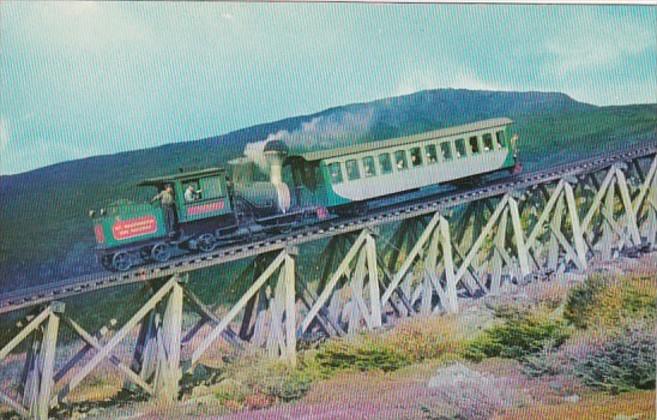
{"x":451,"y":255}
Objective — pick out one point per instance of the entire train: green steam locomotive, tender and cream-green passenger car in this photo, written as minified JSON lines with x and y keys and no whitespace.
{"x":272,"y":190}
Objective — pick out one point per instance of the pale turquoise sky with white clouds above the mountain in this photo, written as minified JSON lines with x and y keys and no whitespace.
{"x":82,"y":78}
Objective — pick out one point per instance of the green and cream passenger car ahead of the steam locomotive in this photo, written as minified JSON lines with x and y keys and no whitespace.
{"x":376,"y":169}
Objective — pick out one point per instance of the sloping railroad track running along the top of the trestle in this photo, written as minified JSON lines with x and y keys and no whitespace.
{"x":26,"y":297}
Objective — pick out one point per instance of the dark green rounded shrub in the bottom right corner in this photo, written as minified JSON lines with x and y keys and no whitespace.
{"x":624,"y":362}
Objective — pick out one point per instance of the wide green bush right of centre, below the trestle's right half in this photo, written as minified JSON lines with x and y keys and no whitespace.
{"x":521,"y":334}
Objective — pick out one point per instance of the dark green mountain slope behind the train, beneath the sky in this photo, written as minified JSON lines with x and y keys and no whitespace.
{"x":45,"y":234}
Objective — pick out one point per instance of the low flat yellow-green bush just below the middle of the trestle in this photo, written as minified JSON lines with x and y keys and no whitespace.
{"x":365,"y":355}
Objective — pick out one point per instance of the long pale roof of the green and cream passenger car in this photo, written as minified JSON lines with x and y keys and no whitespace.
{"x":399,"y":141}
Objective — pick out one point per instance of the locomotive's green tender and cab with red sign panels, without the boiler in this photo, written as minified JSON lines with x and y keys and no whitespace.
{"x":128,"y":233}
